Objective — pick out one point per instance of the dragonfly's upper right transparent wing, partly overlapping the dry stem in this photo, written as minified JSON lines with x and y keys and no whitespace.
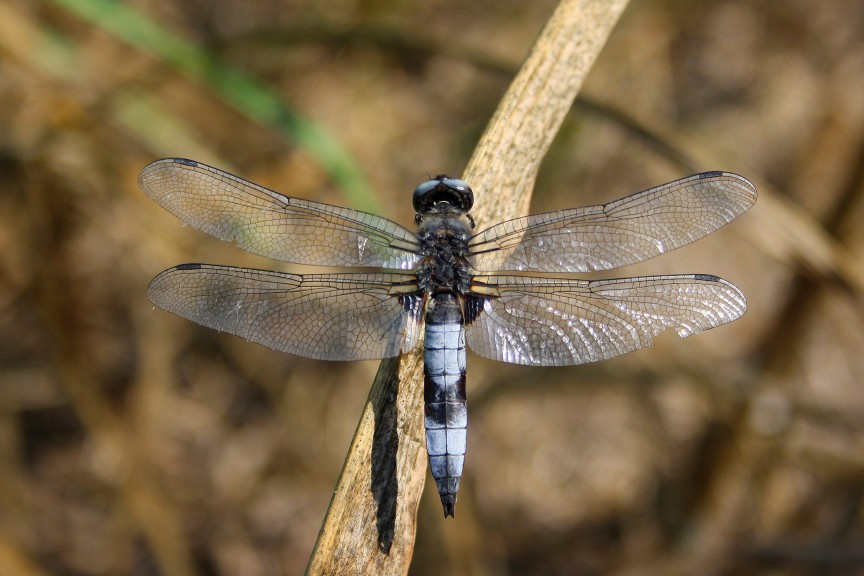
{"x":619,"y":233}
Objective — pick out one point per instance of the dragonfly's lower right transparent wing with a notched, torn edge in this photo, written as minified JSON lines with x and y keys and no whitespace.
{"x":559,"y":322}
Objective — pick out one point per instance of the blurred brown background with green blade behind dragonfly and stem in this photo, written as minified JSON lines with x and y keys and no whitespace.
{"x":133,"y":442}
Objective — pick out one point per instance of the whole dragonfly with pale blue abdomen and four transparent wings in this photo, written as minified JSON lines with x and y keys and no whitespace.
{"x":446,"y":284}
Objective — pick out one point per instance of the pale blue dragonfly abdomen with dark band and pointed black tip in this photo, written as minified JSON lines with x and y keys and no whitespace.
{"x":444,"y":394}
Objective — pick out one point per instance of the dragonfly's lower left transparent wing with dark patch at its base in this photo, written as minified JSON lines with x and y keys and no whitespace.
{"x":323,"y":316}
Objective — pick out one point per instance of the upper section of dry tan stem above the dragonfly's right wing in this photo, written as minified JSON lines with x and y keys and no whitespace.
{"x":504,"y":166}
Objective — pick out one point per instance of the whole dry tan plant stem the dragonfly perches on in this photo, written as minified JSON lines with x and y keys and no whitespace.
{"x":371,"y":522}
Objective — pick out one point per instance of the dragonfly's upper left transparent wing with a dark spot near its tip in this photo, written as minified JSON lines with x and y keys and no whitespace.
{"x":270,"y":224}
